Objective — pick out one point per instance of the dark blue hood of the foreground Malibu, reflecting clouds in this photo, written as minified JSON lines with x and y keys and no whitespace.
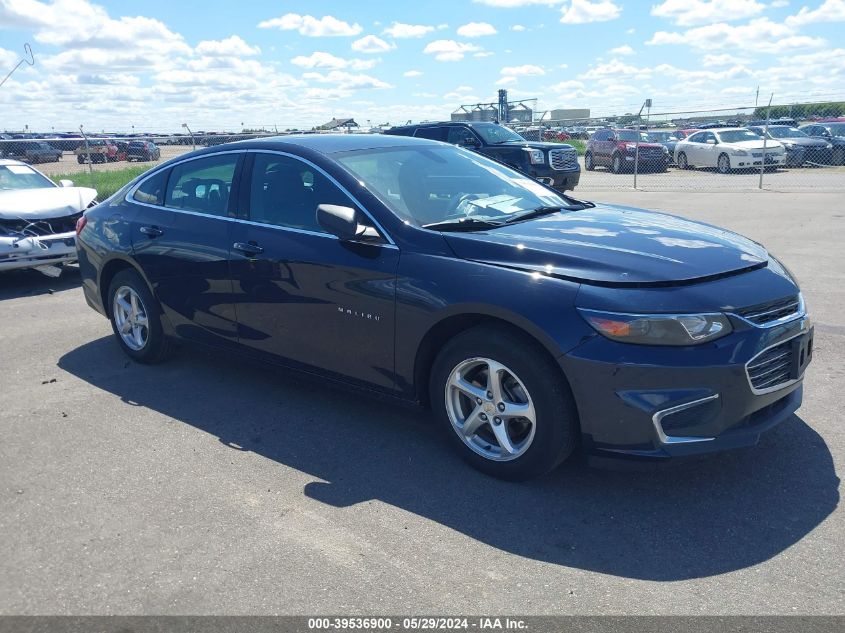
{"x":611,"y":245}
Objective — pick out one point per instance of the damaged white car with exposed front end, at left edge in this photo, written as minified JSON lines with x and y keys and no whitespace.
{"x":38,"y":218}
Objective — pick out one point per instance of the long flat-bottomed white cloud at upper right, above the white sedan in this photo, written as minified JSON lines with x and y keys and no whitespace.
{"x":760,"y":35}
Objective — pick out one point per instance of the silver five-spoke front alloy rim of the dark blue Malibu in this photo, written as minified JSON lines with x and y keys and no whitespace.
{"x":490,"y":409}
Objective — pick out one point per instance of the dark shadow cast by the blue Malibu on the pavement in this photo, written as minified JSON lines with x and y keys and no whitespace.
{"x":690,"y":520}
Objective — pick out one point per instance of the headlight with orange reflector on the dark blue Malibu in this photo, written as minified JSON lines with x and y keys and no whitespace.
{"x":658,"y":329}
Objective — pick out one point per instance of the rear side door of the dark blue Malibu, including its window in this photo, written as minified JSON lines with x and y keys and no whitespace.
{"x":181,"y":238}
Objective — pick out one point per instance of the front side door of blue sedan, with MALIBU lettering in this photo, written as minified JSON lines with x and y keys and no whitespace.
{"x":299,"y":292}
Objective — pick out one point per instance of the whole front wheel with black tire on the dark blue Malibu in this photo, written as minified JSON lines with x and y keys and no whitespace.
{"x":527,"y":375}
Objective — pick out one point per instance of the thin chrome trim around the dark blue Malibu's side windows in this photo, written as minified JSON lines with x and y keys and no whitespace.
{"x":130,"y":197}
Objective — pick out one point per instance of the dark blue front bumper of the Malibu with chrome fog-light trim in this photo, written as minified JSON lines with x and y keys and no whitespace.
{"x":659,"y":403}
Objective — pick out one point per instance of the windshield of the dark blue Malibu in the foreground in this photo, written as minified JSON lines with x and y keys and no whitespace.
{"x":439,"y":184}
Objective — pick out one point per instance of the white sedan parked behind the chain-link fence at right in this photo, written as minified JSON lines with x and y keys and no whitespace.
{"x":727,"y":149}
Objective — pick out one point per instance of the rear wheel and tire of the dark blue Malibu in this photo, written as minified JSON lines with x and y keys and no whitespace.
{"x":134,"y":315}
